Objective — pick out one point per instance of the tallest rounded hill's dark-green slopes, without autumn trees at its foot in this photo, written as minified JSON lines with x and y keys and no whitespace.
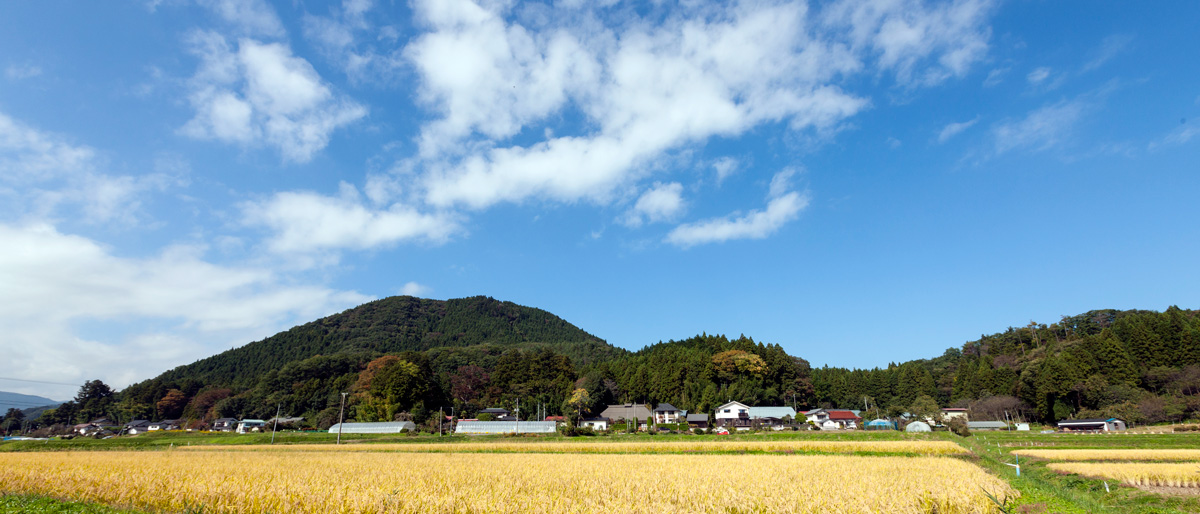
{"x":441,"y":337}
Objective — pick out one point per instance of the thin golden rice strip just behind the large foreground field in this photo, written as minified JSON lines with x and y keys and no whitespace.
{"x":881,"y":447}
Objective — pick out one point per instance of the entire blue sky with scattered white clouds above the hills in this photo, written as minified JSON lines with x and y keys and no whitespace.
{"x":860,"y":182}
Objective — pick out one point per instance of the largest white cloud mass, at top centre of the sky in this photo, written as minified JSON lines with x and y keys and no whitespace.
{"x":643,"y":93}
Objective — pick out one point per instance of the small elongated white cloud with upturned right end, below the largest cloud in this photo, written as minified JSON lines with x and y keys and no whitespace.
{"x":783,"y":206}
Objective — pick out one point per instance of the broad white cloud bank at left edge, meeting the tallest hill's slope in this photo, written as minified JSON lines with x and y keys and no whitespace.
{"x":73,"y":310}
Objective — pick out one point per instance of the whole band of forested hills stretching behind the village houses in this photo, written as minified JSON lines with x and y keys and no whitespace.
{"x":407,"y":357}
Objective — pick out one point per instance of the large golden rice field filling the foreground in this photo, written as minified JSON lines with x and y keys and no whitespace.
{"x":307,"y":482}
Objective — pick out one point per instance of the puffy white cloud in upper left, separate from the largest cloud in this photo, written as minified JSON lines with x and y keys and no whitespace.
{"x":262,"y":94}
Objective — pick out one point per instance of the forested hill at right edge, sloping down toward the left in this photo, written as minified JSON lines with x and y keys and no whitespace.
{"x":1138,"y":366}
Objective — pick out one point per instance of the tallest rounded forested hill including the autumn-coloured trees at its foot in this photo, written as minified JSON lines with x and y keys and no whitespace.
{"x":427,"y":351}
